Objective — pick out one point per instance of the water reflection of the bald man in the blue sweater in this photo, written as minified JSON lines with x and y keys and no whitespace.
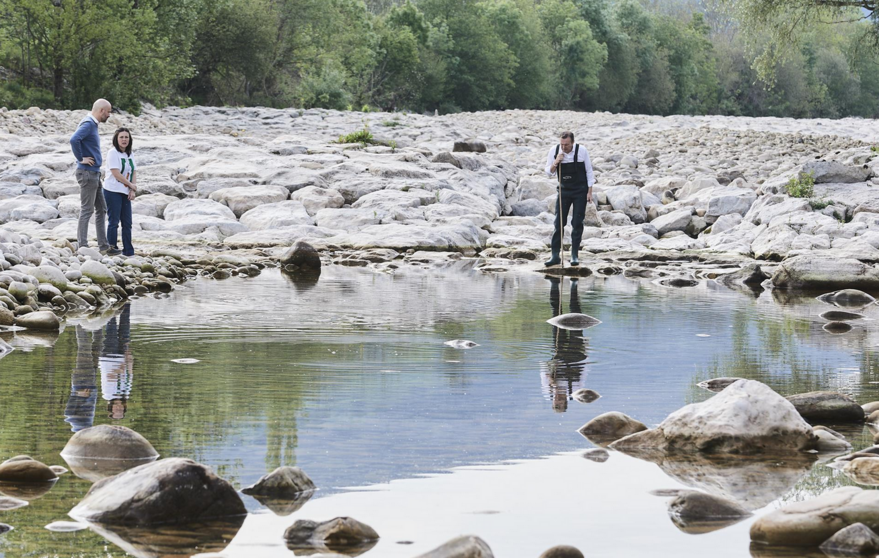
{"x":80,"y":410}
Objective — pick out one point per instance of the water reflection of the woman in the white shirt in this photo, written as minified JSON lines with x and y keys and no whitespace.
{"x":117,"y":364}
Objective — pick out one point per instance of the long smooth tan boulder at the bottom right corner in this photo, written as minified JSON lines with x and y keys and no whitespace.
{"x":811,"y":522}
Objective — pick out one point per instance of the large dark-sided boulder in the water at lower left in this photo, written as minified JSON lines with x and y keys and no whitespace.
{"x":171,"y":490}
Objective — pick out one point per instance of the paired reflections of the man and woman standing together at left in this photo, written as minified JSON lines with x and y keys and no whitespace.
{"x":106,"y":350}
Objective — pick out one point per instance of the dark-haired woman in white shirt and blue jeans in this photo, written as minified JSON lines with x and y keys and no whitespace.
{"x":119,"y":190}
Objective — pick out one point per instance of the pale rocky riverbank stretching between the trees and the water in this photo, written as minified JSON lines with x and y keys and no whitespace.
{"x":227,"y":190}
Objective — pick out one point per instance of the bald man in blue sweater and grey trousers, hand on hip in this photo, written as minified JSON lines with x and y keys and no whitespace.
{"x":86,"y":146}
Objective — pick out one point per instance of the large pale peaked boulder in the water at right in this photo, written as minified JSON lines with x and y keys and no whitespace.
{"x":745,"y":418}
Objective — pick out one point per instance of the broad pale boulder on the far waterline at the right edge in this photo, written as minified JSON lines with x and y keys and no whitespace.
{"x":817,"y":272}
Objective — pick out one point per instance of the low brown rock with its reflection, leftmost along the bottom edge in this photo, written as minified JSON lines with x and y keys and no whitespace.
{"x":345,"y":535}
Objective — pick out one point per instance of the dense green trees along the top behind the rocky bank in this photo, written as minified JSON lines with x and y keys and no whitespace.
{"x":639,"y":56}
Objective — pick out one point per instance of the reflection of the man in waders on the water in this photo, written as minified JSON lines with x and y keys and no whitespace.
{"x":562,"y":375}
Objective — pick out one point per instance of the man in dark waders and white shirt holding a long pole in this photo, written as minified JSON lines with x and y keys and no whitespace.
{"x":571,"y":163}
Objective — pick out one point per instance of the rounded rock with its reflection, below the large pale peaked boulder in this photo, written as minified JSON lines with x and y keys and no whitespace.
{"x":697,"y":512}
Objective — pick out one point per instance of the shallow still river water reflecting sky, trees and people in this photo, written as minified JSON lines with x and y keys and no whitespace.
{"x":350,"y":379}
